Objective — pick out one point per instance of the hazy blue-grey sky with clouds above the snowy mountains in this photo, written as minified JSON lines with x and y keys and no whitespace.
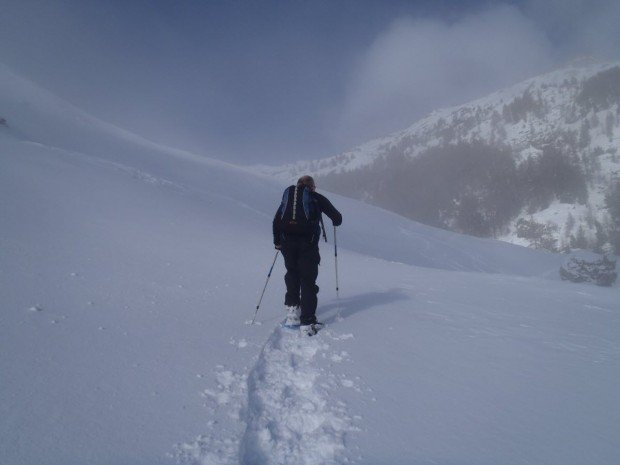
{"x":272,"y":82}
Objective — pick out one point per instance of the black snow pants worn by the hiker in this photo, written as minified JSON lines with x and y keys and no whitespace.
{"x":301,"y":259}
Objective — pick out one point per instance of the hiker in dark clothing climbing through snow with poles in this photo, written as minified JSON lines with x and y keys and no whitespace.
{"x":296,"y":233}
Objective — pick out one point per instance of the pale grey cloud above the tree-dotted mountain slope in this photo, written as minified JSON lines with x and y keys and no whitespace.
{"x":416,"y":66}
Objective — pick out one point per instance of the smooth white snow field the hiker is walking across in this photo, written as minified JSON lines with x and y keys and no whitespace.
{"x":129,"y":273}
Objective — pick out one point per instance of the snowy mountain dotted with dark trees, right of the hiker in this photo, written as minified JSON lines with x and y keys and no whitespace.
{"x":536,"y":164}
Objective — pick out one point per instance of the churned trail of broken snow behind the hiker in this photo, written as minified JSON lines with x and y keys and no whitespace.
{"x":292,"y":416}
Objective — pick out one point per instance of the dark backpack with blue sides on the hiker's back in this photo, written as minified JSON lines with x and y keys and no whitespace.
{"x":299,"y":212}
